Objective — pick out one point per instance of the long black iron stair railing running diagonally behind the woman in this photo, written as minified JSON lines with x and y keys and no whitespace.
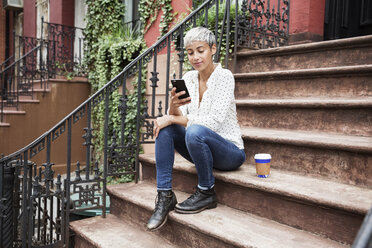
{"x":35,"y":210}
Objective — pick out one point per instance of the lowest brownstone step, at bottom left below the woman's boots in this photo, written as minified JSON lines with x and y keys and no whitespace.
{"x":112,"y":232}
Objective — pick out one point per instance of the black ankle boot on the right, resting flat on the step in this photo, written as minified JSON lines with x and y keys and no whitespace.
{"x":197,"y":202}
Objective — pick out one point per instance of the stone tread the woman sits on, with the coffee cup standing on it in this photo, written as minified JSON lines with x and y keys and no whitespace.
{"x":309,"y":189}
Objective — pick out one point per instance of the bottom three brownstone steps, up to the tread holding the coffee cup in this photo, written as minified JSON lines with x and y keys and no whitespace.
{"x":284,"y":210}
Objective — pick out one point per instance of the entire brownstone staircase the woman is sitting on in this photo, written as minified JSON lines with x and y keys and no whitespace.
{"x":310,"y":107}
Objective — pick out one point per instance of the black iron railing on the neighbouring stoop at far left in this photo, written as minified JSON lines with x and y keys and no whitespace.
{"x":37,"y":60}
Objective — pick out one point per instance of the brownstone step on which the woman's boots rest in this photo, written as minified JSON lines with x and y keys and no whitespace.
{"x":219,"y":227}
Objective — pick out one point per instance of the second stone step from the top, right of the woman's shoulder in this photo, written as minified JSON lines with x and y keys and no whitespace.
{"x":346,"y":81}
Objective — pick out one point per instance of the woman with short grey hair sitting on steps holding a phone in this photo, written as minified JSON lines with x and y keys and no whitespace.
{"x":203,"y":128}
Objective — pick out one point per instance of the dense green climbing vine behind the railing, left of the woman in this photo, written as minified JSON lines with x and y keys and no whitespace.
{"x":110,"y":46}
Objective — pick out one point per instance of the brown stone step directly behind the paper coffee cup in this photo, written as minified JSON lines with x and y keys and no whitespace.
{"x":341,"y":158}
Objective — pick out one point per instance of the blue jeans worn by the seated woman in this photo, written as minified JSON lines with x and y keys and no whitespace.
{"x":199,"y":145}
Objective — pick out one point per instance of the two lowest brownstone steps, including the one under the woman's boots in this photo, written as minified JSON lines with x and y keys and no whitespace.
{"x":220,"y":227}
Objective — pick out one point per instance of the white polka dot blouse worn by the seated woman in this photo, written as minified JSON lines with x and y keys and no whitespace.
{"x":217,"y":110}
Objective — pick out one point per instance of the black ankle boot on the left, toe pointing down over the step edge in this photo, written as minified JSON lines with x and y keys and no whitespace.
{"x":165,"y":202}
